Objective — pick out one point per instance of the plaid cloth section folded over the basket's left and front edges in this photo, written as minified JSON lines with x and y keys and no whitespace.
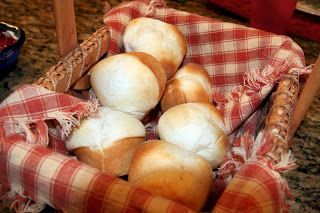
{"x":43,"y":175}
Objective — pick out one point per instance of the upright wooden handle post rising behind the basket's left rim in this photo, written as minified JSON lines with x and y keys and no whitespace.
{"x":65,"y":26}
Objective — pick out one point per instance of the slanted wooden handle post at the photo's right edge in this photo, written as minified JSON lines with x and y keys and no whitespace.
{"x":308,"y":93}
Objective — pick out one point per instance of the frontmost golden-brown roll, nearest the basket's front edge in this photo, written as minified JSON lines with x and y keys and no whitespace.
{"x":172,"y":172}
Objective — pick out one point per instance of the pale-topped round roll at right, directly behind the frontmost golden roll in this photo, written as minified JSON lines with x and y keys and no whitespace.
{"x":197,"y":127}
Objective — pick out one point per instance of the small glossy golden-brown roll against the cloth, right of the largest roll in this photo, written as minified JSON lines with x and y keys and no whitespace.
{"x":190,"y":84}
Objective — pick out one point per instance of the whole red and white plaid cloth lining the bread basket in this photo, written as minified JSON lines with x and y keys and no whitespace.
{"x":243,"y":64}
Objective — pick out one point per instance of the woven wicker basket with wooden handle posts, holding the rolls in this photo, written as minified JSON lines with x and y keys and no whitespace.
{"x":285,"y":110}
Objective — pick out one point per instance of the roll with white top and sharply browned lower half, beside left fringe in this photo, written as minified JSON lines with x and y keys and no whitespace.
{"x":107,"y":141}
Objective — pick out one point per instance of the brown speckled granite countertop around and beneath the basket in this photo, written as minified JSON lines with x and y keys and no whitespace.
{"x":40,"y":52}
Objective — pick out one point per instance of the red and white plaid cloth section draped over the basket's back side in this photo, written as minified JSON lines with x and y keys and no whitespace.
{"x":243,"y":63}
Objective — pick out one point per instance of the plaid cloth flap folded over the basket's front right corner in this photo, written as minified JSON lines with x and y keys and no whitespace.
{"x":257,"y":187}
